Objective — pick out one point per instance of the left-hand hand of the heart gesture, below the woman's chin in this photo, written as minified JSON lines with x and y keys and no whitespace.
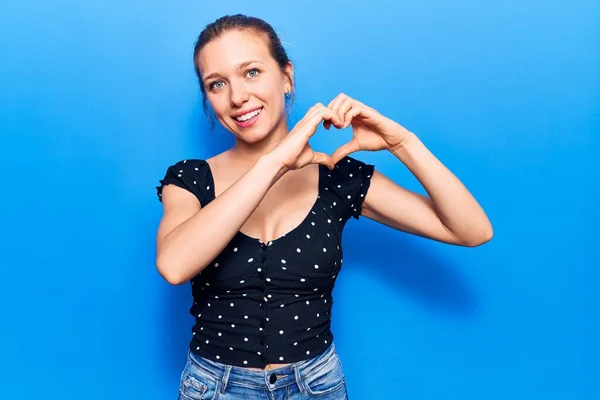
{"x":294,"y":152}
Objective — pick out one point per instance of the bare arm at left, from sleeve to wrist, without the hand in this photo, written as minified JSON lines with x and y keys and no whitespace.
{"x":186,"y":227}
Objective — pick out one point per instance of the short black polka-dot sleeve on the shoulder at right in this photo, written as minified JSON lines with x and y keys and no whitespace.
{"x":350,"y":182}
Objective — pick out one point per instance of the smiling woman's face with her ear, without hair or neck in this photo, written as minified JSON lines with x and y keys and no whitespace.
{"x":239,"y":76}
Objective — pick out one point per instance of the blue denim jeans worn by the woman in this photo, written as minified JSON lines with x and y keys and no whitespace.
{"x":320,"y":377}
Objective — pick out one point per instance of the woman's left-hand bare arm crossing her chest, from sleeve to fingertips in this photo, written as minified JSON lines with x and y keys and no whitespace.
{"x":187,"y":228}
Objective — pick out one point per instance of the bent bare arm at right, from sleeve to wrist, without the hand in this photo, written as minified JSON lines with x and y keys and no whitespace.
{"x":450,"y":214}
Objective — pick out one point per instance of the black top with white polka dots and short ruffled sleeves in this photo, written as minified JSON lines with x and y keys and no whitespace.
{"x":296,"y":273}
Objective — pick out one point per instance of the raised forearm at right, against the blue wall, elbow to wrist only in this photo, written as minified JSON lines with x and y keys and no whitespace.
{"x":457,"y":209}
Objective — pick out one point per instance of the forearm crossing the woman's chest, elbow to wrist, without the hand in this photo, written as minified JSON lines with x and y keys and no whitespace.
{"x":190,"y":246}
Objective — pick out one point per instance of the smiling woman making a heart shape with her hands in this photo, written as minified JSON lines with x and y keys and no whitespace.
{"x":257,"y":228}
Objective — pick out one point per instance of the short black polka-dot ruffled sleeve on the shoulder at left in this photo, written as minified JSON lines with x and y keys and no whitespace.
{"x":190,"y":175}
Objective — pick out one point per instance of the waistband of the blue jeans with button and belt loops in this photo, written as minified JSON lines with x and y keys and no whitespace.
{"x":293,"y":373}
